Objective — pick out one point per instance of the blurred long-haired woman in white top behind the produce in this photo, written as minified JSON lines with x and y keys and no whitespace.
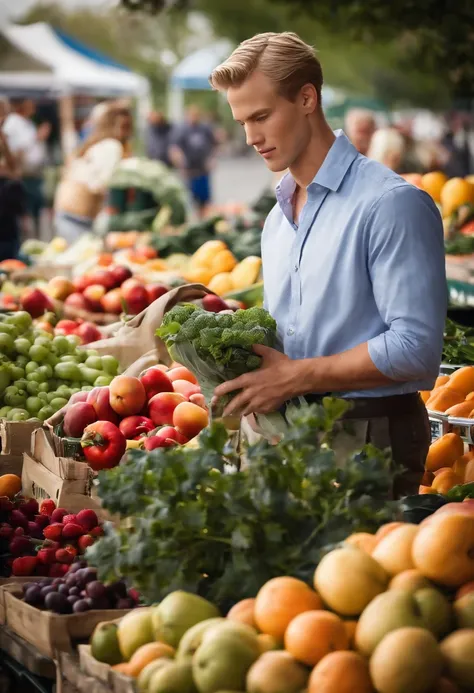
{"x":81,"y":192}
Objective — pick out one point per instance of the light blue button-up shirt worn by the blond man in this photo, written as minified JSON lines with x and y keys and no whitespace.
{"x":364,"y":264}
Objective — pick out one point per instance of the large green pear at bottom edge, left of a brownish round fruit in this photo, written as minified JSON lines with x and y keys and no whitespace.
{"x":223,"y":662}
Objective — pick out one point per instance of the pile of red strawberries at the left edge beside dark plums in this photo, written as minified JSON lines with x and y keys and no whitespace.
{"x":40,"y":540}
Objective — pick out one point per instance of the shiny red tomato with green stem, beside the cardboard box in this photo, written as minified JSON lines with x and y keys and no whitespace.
{"x":103,"y":444}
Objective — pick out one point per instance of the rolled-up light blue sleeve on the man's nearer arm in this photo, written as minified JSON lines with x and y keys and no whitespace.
{"x":407,"y":267}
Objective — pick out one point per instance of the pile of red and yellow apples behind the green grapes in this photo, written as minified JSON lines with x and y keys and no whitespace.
{"x":106,"y":290}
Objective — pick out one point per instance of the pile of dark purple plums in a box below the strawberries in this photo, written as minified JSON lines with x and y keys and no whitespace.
{"x":78,"y":591}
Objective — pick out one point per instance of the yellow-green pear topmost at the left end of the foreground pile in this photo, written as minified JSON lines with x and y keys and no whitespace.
{"x":178,"y":612}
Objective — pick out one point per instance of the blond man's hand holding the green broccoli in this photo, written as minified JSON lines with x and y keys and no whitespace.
{"x":263,"y":391}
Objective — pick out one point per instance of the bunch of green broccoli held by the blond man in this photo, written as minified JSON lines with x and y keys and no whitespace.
{"x":216,"y":347}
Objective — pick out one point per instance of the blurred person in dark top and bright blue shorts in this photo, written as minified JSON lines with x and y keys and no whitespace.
{"x":192,"y":149}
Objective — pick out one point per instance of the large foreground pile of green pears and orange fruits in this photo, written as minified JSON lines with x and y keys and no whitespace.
{"x":390,"y":612}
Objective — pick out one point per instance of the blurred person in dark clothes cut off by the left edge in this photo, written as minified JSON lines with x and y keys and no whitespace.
{"x":12,"y":194}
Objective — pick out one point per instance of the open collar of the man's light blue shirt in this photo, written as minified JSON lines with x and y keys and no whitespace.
{"x":332,"y":172}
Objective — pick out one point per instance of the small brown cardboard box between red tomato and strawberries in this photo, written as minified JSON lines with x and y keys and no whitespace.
{"x":73,"y":494}
